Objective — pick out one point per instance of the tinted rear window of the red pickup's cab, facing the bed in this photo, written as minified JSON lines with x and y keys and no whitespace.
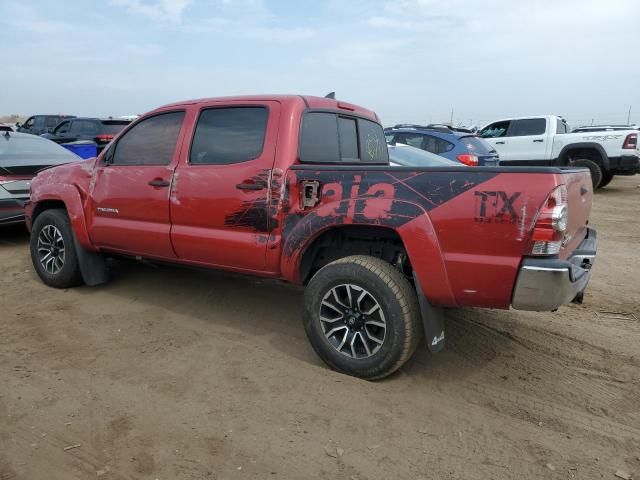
{"x":328,"y":137}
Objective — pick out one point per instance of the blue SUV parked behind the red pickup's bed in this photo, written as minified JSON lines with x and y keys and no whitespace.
{"x":453,"y":143}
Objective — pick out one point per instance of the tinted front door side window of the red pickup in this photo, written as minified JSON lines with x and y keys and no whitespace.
{"x":152,"y":141}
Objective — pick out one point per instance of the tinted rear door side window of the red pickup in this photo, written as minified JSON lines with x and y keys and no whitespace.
{"x":229,"y":135}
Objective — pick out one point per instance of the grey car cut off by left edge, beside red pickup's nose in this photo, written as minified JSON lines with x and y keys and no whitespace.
{"x":21,"y":156}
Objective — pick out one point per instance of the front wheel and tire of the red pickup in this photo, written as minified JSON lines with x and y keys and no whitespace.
{"x":52,"y":234}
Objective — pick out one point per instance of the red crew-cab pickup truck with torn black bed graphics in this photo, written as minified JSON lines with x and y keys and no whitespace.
{"x":300,"y":188}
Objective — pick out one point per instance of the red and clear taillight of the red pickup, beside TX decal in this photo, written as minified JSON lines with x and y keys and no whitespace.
{"x":551,"y":224}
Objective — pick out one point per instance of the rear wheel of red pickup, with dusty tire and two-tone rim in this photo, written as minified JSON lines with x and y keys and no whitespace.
{"x":362,"y":282}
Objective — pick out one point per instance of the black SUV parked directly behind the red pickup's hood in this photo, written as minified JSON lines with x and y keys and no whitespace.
{"x":100,"y":131}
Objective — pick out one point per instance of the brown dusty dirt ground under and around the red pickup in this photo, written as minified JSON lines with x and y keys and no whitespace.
{"x":167,"y":373}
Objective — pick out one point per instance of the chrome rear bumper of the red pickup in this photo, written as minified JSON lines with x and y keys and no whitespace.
{"x":546,"y":284}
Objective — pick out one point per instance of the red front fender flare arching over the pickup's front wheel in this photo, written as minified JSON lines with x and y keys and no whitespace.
{"x":72,"y":200}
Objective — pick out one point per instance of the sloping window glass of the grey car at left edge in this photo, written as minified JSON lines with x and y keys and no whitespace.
{"x":23,"y":149}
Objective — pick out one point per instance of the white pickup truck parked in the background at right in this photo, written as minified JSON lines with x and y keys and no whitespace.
{"x":546,"y":141}
